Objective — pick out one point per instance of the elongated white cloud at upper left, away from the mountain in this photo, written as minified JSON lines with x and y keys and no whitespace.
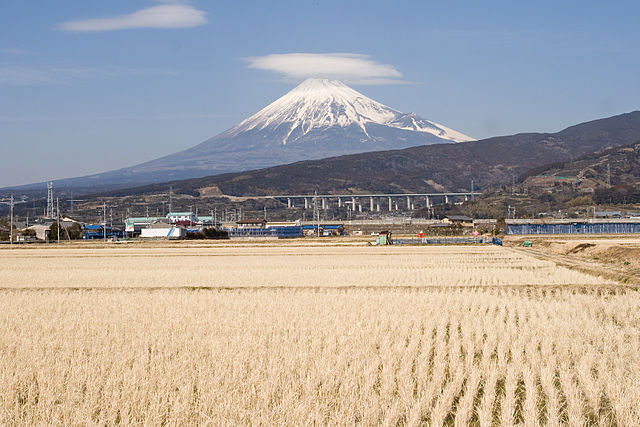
{"x":163,"y":16}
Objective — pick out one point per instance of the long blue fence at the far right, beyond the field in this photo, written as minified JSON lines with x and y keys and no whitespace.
{"x":574,"y":228}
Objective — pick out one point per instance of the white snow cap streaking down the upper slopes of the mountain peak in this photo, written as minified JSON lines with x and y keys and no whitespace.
{"x":321,"y":103}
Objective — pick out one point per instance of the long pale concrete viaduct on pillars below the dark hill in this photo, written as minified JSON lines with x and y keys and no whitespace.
{"x":374,"y":202}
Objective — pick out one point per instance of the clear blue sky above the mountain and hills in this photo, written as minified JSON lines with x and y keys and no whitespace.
{"x":93,"y":86}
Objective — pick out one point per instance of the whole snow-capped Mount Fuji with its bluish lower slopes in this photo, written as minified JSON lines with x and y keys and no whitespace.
{"x":317,"y":119}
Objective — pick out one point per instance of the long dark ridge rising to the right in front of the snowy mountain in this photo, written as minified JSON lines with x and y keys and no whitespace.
{"x":441,"y":167}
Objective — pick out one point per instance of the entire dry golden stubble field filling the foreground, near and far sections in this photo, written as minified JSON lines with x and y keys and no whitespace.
{"x":306,"y":352}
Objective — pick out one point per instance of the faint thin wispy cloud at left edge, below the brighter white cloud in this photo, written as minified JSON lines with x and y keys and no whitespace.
{"x":30,"y":76}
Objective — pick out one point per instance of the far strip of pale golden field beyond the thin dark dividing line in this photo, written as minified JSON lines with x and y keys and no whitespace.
{"x":281,"y":266}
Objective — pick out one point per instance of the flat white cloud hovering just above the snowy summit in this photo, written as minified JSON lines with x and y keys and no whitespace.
{"x":350,"y":67}
